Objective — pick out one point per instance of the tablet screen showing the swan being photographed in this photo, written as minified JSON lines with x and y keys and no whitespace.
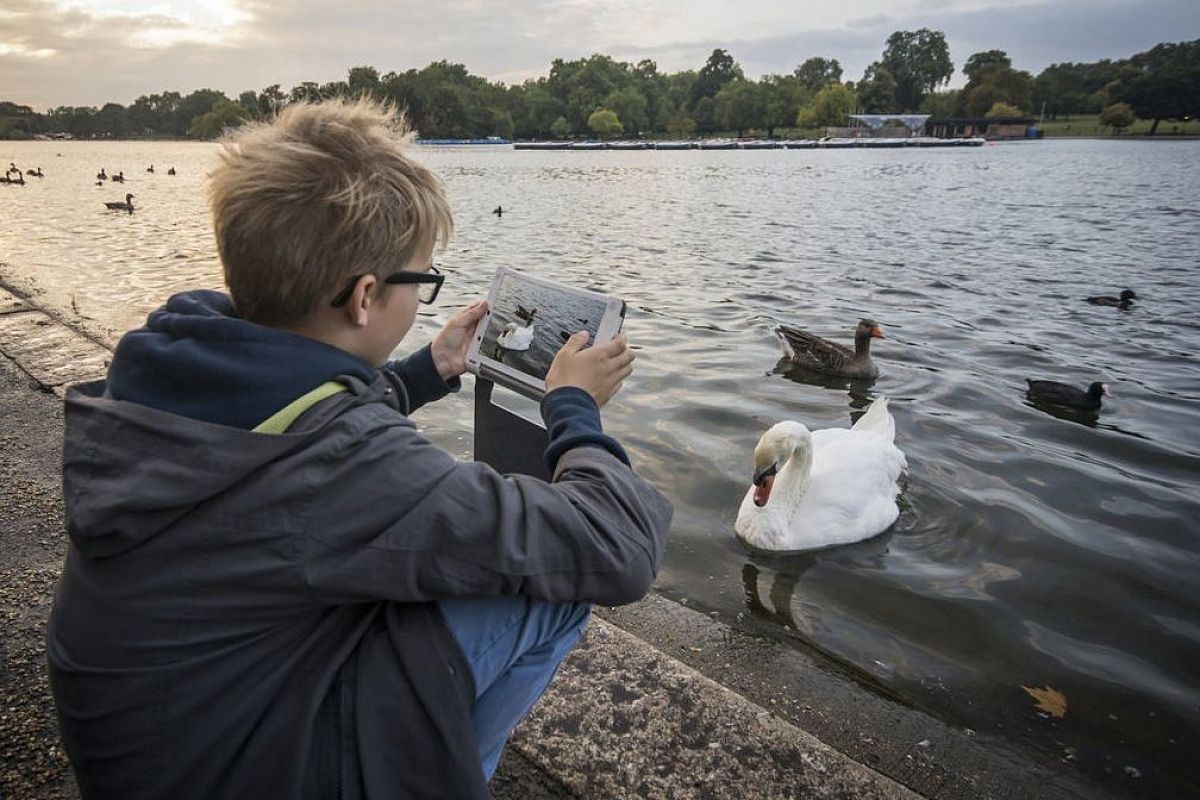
{"x":530,"y":323}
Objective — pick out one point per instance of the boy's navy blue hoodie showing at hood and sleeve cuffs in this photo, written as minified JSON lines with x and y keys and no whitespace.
{"x":199,"y":359}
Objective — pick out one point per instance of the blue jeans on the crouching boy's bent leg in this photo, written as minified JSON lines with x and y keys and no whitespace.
{"x":514,"y":647}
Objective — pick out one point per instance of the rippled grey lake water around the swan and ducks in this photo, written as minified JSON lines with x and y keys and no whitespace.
{"x":1033,"y":550}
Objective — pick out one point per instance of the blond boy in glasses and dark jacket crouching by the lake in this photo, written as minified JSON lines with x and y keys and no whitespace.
{"x":275,"y":586}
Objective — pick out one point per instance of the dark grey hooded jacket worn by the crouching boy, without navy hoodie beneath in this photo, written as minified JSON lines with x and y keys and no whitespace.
{"x":250,"y":616}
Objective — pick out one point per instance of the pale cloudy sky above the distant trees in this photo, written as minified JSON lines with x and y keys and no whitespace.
{"x":91,"y":52}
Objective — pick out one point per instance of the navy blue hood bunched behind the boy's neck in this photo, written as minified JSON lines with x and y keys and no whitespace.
{"x":196,"y":358}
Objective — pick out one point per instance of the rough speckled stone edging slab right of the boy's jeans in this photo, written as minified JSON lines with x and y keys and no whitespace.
{"x":625,"y":720}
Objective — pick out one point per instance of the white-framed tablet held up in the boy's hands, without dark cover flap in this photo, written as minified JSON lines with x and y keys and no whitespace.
{"x":529,"y":320}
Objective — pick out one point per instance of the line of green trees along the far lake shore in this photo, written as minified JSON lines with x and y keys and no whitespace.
{"x":602,"y":97}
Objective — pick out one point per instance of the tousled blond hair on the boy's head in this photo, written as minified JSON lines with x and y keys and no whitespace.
{"x":321,"y":194}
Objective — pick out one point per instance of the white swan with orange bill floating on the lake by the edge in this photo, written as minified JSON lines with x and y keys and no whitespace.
{"x":825,"y":488}
